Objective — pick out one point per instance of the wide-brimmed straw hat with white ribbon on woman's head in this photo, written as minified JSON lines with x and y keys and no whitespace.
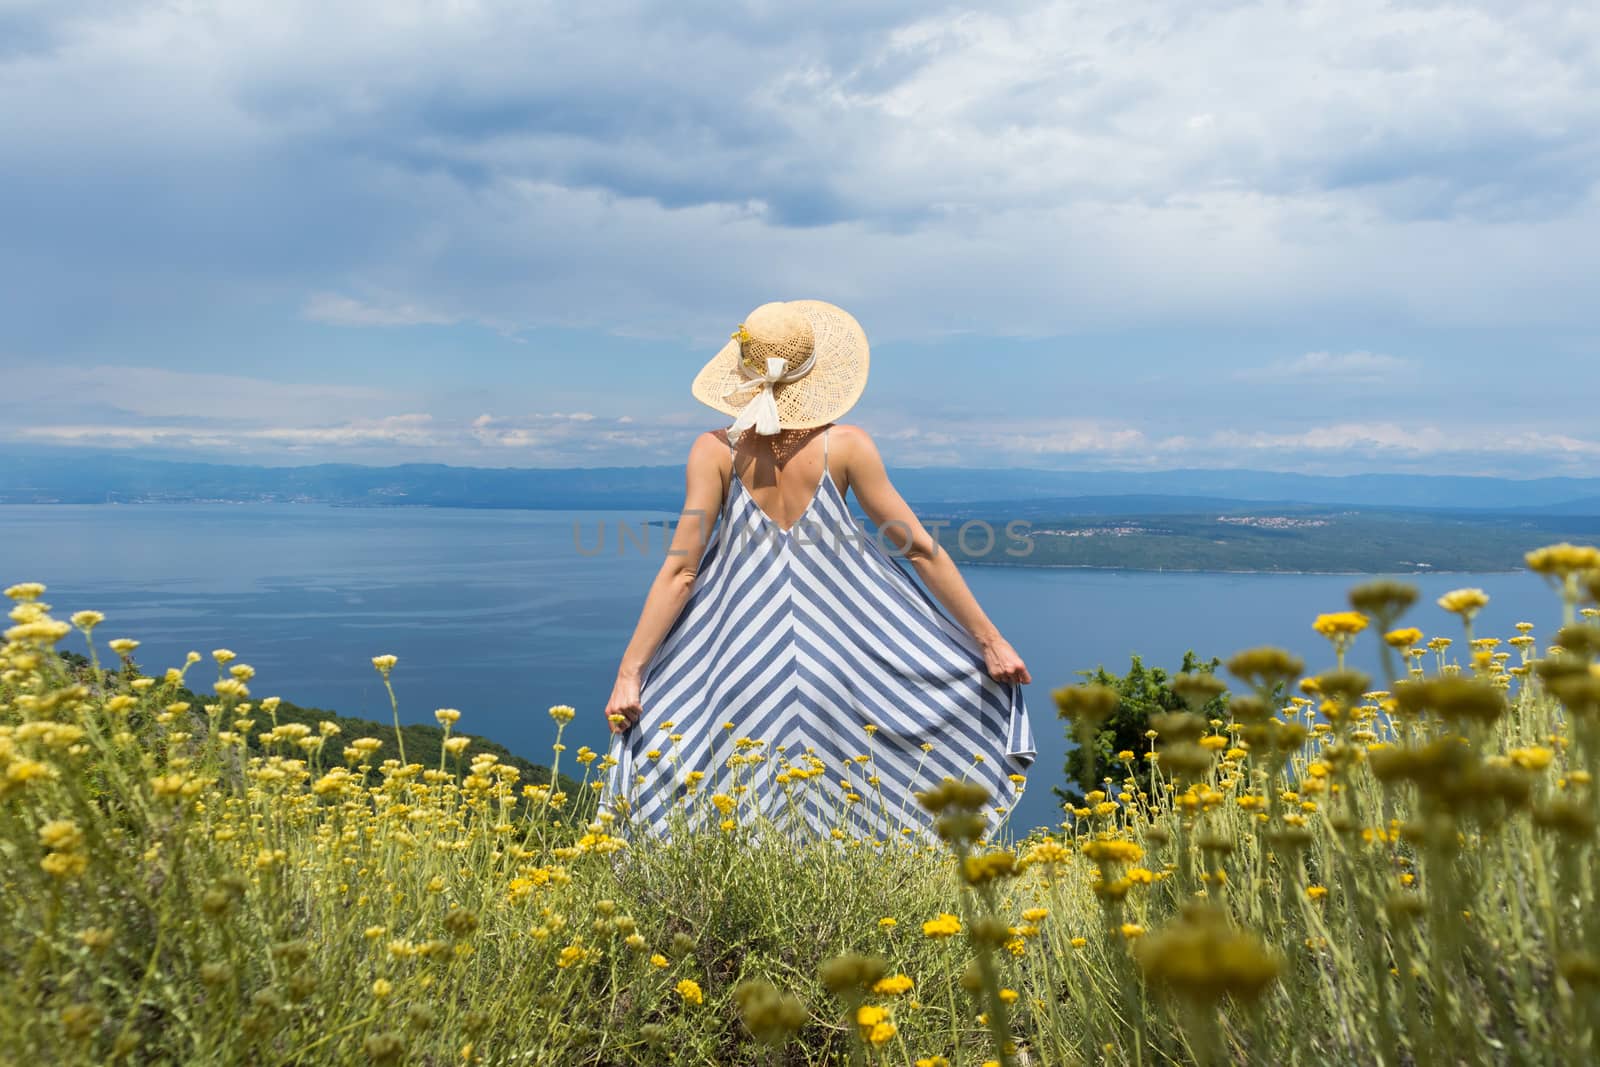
{"x":791,"y":366}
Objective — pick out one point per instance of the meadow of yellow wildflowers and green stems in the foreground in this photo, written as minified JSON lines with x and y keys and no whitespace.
{"x":1338,"y":869}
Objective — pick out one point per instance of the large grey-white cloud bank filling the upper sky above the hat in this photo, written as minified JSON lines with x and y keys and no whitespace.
{"x":1028,"y":169}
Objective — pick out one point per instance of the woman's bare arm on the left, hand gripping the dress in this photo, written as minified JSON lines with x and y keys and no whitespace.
{"x":674,"y":583}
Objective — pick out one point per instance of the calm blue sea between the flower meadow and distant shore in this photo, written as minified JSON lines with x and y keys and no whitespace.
{"x":503,"y":613}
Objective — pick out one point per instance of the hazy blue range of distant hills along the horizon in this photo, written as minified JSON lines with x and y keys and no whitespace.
{"x":60,"y":478}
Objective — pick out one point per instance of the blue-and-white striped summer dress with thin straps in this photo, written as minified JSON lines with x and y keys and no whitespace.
{"x":812,"y":681}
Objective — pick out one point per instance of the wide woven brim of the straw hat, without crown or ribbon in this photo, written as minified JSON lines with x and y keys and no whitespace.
{"x":823,"y":396}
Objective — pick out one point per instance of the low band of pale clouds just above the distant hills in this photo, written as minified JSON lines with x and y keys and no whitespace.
{"x":300,"y":434}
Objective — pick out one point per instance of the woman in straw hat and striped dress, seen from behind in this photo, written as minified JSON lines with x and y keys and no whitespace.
{"x":785,"y":663}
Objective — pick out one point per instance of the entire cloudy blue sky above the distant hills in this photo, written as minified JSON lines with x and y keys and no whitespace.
{"x":1330,"y":236}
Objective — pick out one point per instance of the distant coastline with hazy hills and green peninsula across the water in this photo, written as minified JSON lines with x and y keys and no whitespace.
{"x":1201,"y":522}
